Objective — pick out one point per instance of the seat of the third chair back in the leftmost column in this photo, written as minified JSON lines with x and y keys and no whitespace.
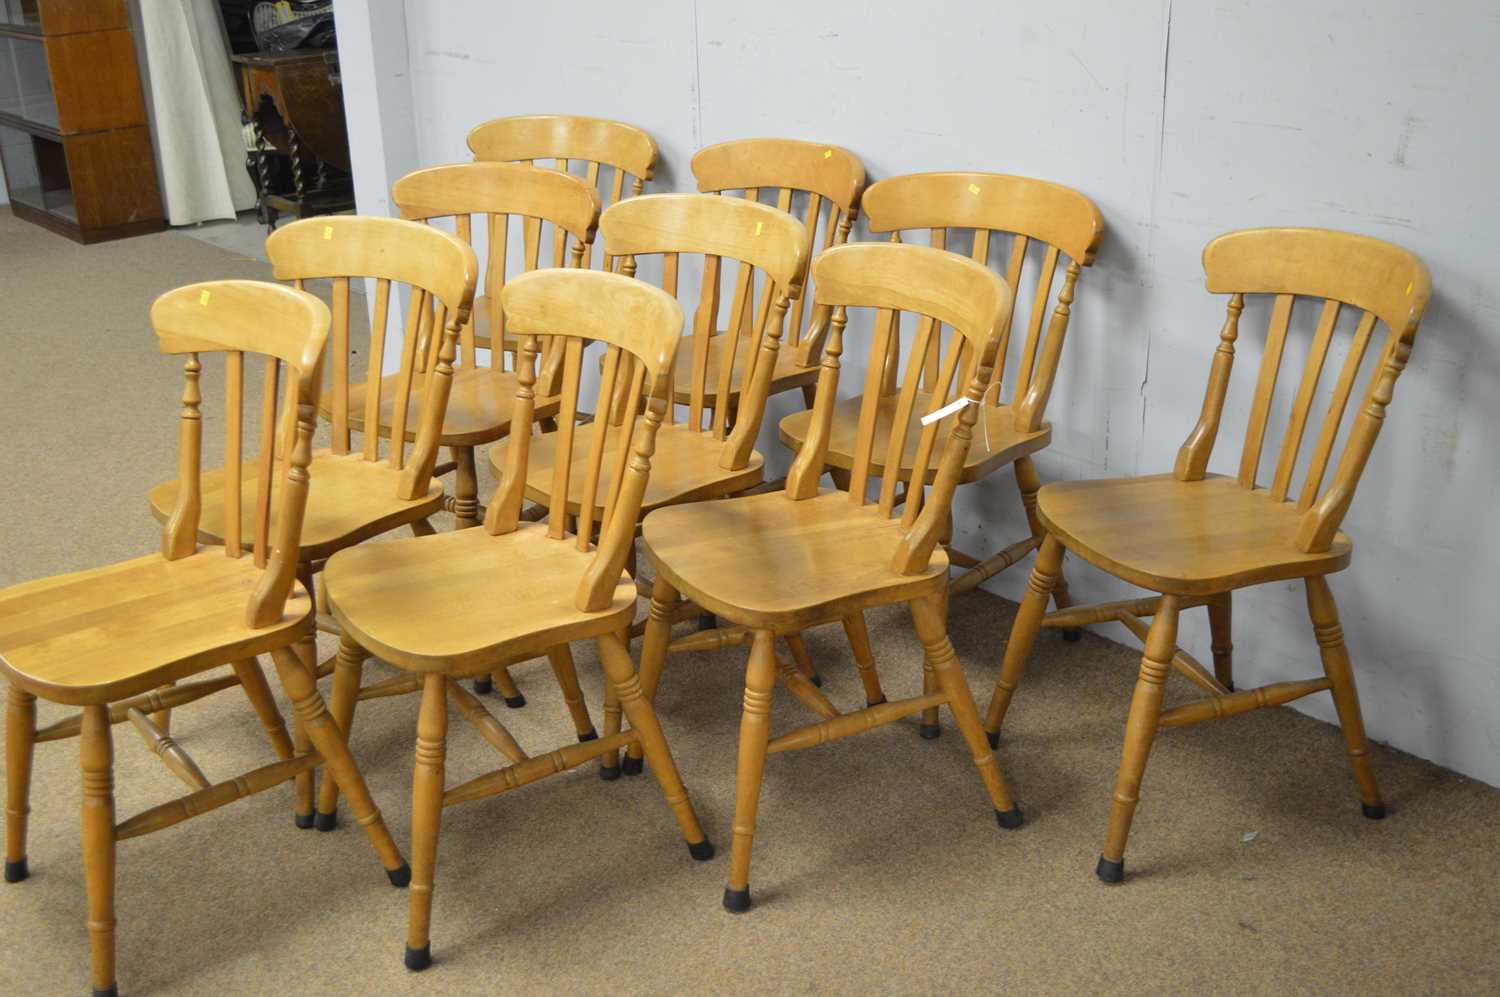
{"x":481,"y":404}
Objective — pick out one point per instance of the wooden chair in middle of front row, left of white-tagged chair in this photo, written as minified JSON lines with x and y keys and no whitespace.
{"x":451,"y":605}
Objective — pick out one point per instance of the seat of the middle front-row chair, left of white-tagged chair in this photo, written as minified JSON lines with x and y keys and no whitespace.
{"x":466,"y":600}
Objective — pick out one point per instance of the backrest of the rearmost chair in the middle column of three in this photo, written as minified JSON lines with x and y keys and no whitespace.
{"x":827,"y":176}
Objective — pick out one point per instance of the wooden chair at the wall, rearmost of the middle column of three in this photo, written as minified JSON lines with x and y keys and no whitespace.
{"x":830,"y":179}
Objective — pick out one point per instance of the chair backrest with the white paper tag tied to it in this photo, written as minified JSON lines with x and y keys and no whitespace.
{"x":941,"y":289}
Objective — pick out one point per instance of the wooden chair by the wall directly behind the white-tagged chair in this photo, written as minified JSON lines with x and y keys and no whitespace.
{"x":1040,"y":223}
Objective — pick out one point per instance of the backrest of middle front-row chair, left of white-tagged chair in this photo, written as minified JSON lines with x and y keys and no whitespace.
{"x":641,"y":328}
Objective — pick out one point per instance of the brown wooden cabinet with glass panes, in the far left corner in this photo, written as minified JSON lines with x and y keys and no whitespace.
{"x":74,"y":142}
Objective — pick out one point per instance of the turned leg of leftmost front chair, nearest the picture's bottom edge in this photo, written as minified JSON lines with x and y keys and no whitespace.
{"x":97,"y":764}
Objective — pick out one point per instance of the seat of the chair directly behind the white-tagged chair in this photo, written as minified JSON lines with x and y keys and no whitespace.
{"x":1006,"y":445}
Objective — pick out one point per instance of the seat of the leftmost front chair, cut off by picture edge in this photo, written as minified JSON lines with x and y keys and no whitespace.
{"x":110,"y":633}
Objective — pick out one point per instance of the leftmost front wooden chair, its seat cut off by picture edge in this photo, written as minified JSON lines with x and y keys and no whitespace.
{"x":104,"y":639}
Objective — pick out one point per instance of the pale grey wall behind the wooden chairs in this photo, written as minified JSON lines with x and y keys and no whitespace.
{"x":1181,"y":122}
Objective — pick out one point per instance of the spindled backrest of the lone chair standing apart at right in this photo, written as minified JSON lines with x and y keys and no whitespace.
{"x":1388,"y":284}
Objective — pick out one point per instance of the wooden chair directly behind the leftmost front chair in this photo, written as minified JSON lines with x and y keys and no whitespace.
{"x":361,"y":494}
